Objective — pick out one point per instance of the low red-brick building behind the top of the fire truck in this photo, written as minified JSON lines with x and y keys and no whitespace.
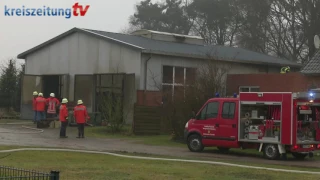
{"x":308,"y":78}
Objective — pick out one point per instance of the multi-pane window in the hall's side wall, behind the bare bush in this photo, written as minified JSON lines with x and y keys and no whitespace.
{"x":177,"y":78}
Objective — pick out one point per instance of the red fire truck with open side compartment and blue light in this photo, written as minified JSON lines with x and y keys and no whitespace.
{"x":273,"y":123}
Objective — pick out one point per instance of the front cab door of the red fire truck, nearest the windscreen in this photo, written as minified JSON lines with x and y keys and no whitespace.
{"x":205,"y":122}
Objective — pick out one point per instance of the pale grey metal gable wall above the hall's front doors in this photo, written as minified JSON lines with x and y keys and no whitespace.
{"x":82,"y":54}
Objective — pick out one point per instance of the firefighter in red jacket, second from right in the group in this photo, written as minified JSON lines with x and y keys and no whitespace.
{"x":63,"y":117}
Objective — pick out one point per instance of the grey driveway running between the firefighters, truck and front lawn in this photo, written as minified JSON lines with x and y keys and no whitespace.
{"x":49,"y":138}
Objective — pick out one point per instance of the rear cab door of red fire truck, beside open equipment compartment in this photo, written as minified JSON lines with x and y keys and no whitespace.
{"x":227,"y":123}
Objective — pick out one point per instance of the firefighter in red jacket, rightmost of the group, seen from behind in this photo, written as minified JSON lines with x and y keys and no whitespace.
{"x":81,"y":116}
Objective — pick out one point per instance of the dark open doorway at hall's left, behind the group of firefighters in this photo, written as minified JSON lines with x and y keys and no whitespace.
{"x":52,"y":84}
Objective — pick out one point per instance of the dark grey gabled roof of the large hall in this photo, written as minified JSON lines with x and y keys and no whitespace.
{"x":147,"y":45}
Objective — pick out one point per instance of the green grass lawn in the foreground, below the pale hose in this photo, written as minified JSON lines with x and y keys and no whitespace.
{"x":74,"y":166}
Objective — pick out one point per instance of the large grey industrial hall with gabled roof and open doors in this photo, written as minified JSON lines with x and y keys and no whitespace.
{"x":80,"y":63}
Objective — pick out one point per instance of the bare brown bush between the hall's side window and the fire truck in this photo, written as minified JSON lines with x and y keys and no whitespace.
{"x":177,"y":107}
